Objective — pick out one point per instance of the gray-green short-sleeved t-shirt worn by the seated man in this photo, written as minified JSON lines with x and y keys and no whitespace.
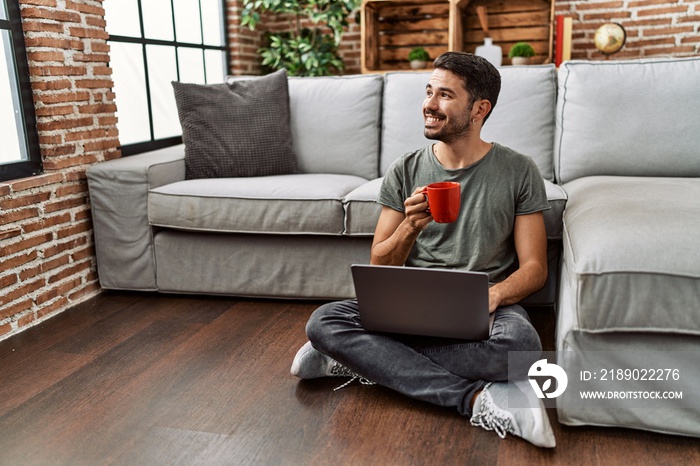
{"x":495,"y":189}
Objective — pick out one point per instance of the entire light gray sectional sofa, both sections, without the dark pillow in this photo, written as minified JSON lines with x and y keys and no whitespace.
{"x":621,"y":137}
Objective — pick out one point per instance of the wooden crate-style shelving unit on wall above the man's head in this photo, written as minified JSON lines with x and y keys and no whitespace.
{"x":390,"y":29}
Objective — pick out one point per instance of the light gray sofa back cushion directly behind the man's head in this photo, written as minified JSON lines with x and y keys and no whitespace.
{"x":523,"y":118}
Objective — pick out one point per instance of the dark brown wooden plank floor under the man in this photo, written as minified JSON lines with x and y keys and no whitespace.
{"x":141,"y":379}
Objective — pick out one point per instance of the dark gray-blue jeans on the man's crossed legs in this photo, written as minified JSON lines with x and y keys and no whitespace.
{"x":441,"y":371}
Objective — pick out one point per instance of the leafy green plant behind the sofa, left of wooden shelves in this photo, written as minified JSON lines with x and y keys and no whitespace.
{"x":302,"y":51}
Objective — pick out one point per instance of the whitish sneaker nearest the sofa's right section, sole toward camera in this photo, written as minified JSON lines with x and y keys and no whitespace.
{"x":513,"y":408}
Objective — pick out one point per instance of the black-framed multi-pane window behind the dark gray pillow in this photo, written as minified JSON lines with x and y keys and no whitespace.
{"x":154,"y":42}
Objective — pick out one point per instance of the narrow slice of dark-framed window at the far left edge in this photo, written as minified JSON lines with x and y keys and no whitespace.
{"x":19,"y":148}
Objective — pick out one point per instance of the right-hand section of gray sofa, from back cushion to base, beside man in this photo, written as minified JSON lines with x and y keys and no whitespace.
{"x":627,"y":153}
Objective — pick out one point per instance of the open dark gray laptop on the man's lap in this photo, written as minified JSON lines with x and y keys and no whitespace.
{"x":420,"y":301}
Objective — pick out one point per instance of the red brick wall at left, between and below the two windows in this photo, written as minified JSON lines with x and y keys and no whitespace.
{"x":48,"y":259}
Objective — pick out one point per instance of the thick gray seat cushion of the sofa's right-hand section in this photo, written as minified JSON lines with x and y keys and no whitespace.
{"x":632,"y":253}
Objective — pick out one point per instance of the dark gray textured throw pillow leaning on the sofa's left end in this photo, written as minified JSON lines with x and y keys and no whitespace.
{"x":236,"y":129}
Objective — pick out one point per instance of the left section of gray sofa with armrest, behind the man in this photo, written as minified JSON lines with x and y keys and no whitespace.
{"x":295,"y":236}
